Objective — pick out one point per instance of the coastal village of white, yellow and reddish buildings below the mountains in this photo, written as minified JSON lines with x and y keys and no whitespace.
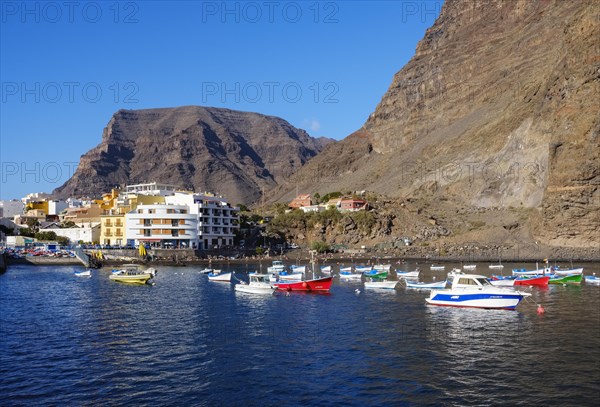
{"x":154,"y":215}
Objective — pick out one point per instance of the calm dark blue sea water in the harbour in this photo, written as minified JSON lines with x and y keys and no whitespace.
{"x":186,"y":341}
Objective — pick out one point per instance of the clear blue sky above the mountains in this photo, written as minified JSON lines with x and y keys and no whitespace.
{"x":66,"y":67}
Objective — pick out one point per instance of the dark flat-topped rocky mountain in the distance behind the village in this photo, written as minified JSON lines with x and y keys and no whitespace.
{"x":237,"y":154}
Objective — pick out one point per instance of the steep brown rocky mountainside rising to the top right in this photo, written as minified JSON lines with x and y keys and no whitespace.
{"x":497,"y":110}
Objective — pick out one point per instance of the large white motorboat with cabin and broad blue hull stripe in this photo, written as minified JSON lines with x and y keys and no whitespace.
{"x":475,"y":291}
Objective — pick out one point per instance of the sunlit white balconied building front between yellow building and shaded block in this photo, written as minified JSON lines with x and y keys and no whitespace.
{"x":162,"y":225}
